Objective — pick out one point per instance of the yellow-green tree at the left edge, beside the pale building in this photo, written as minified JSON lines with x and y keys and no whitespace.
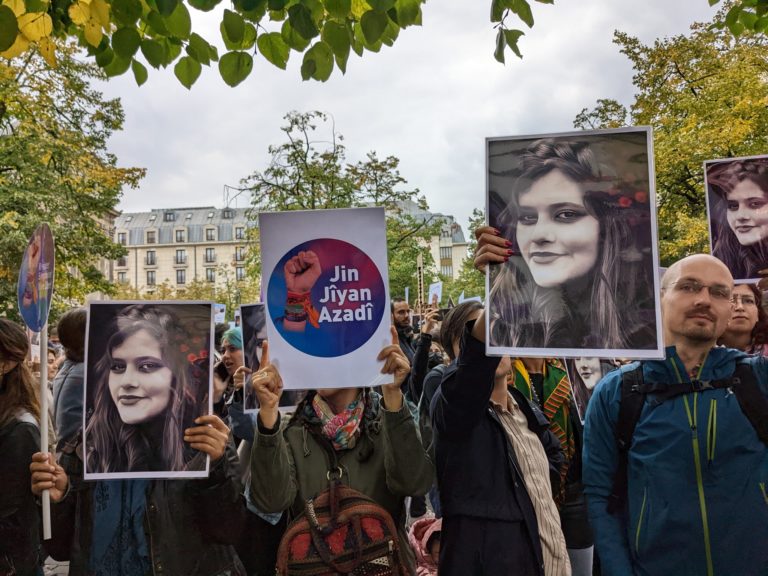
{"x":55,"y":167}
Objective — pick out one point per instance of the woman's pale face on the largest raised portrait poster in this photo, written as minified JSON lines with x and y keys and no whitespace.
{"x":556,"y":233}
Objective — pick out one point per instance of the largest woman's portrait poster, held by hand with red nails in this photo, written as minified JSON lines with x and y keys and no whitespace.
{"x":578,"y":211}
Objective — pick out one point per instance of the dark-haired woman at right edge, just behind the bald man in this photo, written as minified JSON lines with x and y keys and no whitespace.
{"x":748,"y":328}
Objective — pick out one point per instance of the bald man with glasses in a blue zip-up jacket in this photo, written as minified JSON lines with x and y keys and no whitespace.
{"x":694,"y":499}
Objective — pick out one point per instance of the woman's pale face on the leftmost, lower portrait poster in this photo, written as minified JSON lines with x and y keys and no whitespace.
{"x":139,"y":381}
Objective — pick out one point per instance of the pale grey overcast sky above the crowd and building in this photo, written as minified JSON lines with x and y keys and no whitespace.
{"x":431,"y":100}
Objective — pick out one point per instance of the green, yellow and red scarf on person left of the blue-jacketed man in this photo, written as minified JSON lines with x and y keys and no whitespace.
{"x":556,"y":405}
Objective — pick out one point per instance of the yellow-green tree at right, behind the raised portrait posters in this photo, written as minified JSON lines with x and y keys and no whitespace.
{"x":706,"y":96}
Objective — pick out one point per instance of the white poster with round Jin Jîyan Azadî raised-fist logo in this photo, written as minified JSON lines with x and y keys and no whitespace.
{"x":327,"y":296}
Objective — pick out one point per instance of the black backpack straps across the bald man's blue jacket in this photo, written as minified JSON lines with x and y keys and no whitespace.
{"x":743,"y":383}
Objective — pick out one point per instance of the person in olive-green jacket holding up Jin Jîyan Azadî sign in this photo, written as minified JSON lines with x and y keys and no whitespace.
{"x":374,"y":439}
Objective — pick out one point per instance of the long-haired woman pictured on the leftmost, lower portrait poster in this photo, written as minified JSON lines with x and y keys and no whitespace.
{"x":146,"y":392}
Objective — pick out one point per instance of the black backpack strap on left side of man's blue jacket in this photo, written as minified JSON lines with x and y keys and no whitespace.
{"x":632,"y":400}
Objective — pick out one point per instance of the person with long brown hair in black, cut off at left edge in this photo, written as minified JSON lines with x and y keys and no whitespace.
{"x":20,"y":543}
